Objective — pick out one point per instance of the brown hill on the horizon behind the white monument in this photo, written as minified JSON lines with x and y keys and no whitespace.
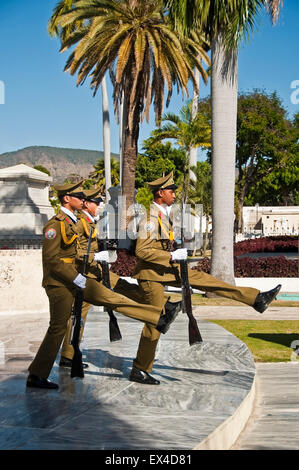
{"x":61,"y":162}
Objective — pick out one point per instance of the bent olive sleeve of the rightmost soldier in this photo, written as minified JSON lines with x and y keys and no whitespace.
{"x":147,"y":246}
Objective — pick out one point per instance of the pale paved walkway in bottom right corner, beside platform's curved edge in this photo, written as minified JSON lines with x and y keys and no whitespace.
{"x":274,"y":423}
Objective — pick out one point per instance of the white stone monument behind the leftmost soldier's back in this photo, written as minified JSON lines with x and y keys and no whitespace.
{"x":24,"y":206}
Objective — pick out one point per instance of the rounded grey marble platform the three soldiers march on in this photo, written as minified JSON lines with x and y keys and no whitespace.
{"x":203,"y":401}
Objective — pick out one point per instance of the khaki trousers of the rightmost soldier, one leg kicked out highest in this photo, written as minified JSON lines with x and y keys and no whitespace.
{"x":154,"y":295}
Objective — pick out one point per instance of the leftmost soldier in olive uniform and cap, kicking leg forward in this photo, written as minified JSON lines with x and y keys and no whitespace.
{"x":60,"y":276}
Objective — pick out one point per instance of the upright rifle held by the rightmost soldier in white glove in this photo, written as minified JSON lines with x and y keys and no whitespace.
{"x":194,"y":333}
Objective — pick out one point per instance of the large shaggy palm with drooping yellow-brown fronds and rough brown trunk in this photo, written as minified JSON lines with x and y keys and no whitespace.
{"x":133,"y":39}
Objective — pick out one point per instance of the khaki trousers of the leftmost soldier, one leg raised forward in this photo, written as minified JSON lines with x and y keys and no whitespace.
{"x":61,"y":300}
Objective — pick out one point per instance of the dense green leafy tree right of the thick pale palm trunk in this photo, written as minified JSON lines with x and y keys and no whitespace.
{"x":267,"y":151}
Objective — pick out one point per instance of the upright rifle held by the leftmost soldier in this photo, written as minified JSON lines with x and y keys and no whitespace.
{"x":77,"y":366}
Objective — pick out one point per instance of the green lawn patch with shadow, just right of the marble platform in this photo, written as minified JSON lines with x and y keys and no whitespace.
{"x":268,"y":340}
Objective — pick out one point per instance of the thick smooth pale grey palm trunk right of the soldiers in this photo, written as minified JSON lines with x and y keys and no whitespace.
{"x":224,"y":91}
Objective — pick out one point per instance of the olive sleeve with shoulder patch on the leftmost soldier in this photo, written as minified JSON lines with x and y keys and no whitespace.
{"x":51,"y":254}
